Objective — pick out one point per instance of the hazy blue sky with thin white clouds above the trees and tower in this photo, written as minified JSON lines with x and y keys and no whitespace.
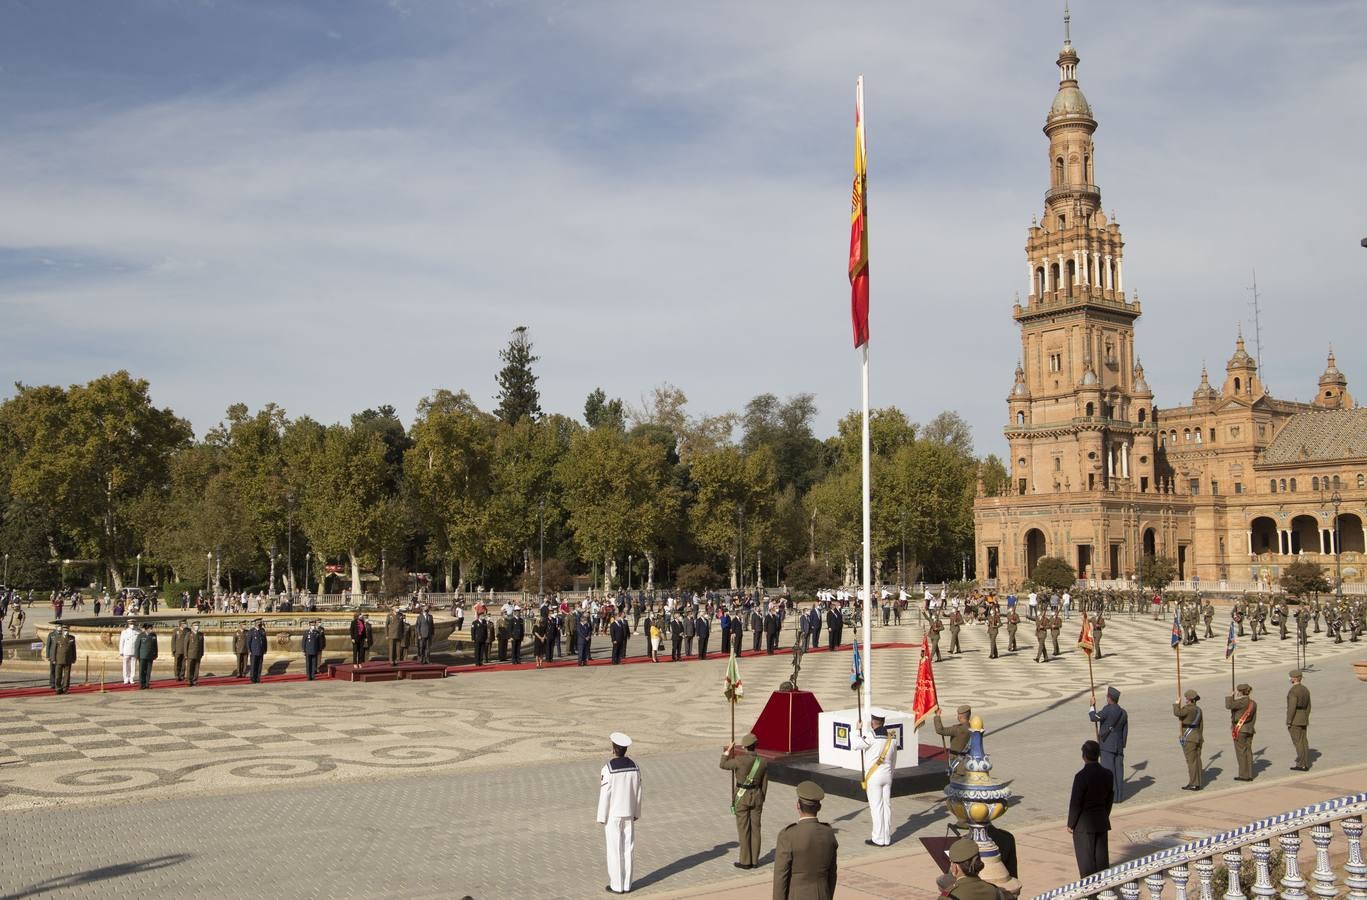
{"x":344,"y":204}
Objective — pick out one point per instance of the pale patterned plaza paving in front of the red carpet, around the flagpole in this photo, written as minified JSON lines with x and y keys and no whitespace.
{"x":486,"y":783}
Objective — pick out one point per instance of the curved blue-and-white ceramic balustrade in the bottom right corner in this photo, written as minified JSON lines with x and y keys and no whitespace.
{"x":1175,"y":866}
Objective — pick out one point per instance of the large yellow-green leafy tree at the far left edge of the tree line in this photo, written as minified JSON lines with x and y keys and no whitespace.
{"x":85,"y":456}
